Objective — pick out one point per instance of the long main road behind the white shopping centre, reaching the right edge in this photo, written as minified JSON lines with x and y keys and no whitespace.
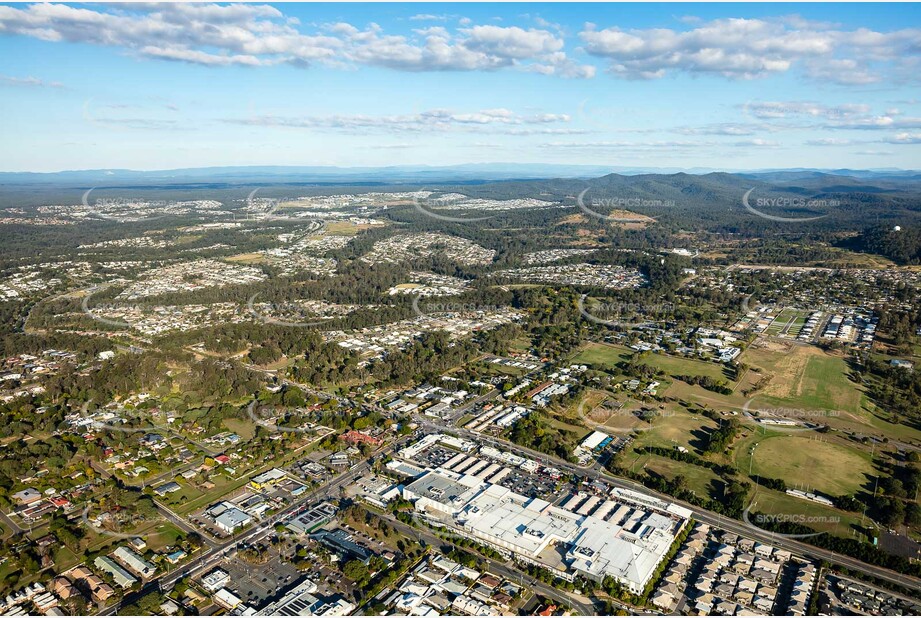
{"x":707,"y":517}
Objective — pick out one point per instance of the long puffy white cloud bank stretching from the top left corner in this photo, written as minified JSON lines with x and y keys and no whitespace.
{"x":256,"y":35}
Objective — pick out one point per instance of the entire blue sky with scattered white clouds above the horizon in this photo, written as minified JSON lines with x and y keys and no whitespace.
{"x":729,"y":86}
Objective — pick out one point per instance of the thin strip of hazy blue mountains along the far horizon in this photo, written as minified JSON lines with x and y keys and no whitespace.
{"x":473,"y":172}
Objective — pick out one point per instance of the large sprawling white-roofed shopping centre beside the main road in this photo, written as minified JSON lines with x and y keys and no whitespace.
{"x":627,"y":542}
